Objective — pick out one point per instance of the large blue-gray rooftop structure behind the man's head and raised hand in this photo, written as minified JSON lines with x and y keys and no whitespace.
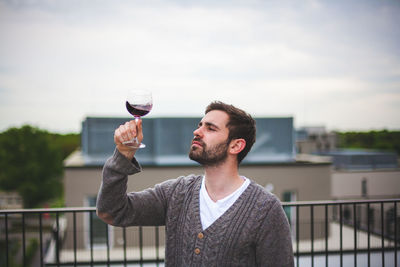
{"x":168,"y":141}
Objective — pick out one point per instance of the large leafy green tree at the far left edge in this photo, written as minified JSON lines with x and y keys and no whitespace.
{"x":31,"y":164}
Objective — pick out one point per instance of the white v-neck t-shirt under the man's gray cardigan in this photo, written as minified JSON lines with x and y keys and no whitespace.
{"x":210,"y":211}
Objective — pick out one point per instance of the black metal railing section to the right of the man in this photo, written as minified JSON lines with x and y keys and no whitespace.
{"x":350,"y":228}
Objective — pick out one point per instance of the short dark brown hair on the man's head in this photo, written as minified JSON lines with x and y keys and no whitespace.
{"x":240,"y":125}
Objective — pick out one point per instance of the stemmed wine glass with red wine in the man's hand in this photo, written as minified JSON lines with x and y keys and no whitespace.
{"x":138,"y":103}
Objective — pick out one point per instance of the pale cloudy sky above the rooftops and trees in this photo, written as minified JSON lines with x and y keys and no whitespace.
{"x":324,"y":63}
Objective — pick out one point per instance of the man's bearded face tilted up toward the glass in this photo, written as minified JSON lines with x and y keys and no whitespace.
{"x":210,"y":143}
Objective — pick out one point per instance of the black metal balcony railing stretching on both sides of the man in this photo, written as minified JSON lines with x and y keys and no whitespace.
{"x":325,"y":233}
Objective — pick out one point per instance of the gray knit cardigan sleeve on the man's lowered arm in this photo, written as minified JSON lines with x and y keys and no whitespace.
{"x":274,"y":242}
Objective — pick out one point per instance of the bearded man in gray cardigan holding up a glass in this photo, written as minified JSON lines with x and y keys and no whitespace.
{"x":216,"y":219}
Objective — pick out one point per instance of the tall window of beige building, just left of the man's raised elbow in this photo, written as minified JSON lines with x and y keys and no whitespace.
{"x":97,"y":227}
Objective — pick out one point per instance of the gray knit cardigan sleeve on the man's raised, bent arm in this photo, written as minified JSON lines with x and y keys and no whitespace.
{"x":144,"y":208}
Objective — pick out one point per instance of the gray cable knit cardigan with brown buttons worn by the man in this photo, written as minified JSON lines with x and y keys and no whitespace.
{"x":254,"y":231}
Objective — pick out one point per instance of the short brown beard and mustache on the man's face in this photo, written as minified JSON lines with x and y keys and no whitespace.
{"x":209,"y":157}
